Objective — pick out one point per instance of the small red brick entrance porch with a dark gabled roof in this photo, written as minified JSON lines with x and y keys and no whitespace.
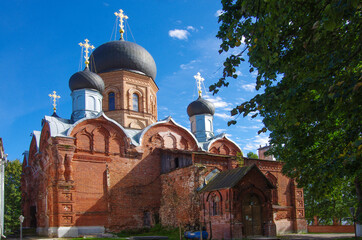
{"x":237,"y":204}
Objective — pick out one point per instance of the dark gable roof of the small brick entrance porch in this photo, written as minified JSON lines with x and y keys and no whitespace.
{"x":229,"y":178}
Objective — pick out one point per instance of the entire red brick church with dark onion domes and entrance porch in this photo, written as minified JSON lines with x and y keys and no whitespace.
{"x":114,"y":166}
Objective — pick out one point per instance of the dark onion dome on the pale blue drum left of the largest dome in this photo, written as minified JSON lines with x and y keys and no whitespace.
{"x":86,"y":79}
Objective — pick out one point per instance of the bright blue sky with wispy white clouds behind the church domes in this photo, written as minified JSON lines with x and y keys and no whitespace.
{"x":39,"y":52}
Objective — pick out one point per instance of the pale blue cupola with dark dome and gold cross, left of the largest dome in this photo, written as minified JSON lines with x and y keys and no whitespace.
{"x":87,"y":88}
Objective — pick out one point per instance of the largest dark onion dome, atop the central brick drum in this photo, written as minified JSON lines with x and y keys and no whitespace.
{"x":118,"y":55}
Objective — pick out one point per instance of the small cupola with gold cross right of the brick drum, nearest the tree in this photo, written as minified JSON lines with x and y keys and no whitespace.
{"x":201,"y":113}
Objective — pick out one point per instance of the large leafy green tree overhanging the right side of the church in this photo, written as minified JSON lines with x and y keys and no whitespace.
{"x":307,"y":55}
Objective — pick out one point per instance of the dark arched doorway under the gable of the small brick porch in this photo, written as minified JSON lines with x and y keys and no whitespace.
{"x":252,"y":215}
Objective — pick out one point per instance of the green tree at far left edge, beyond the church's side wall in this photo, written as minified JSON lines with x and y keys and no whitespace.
{"x":12,"y":195}
